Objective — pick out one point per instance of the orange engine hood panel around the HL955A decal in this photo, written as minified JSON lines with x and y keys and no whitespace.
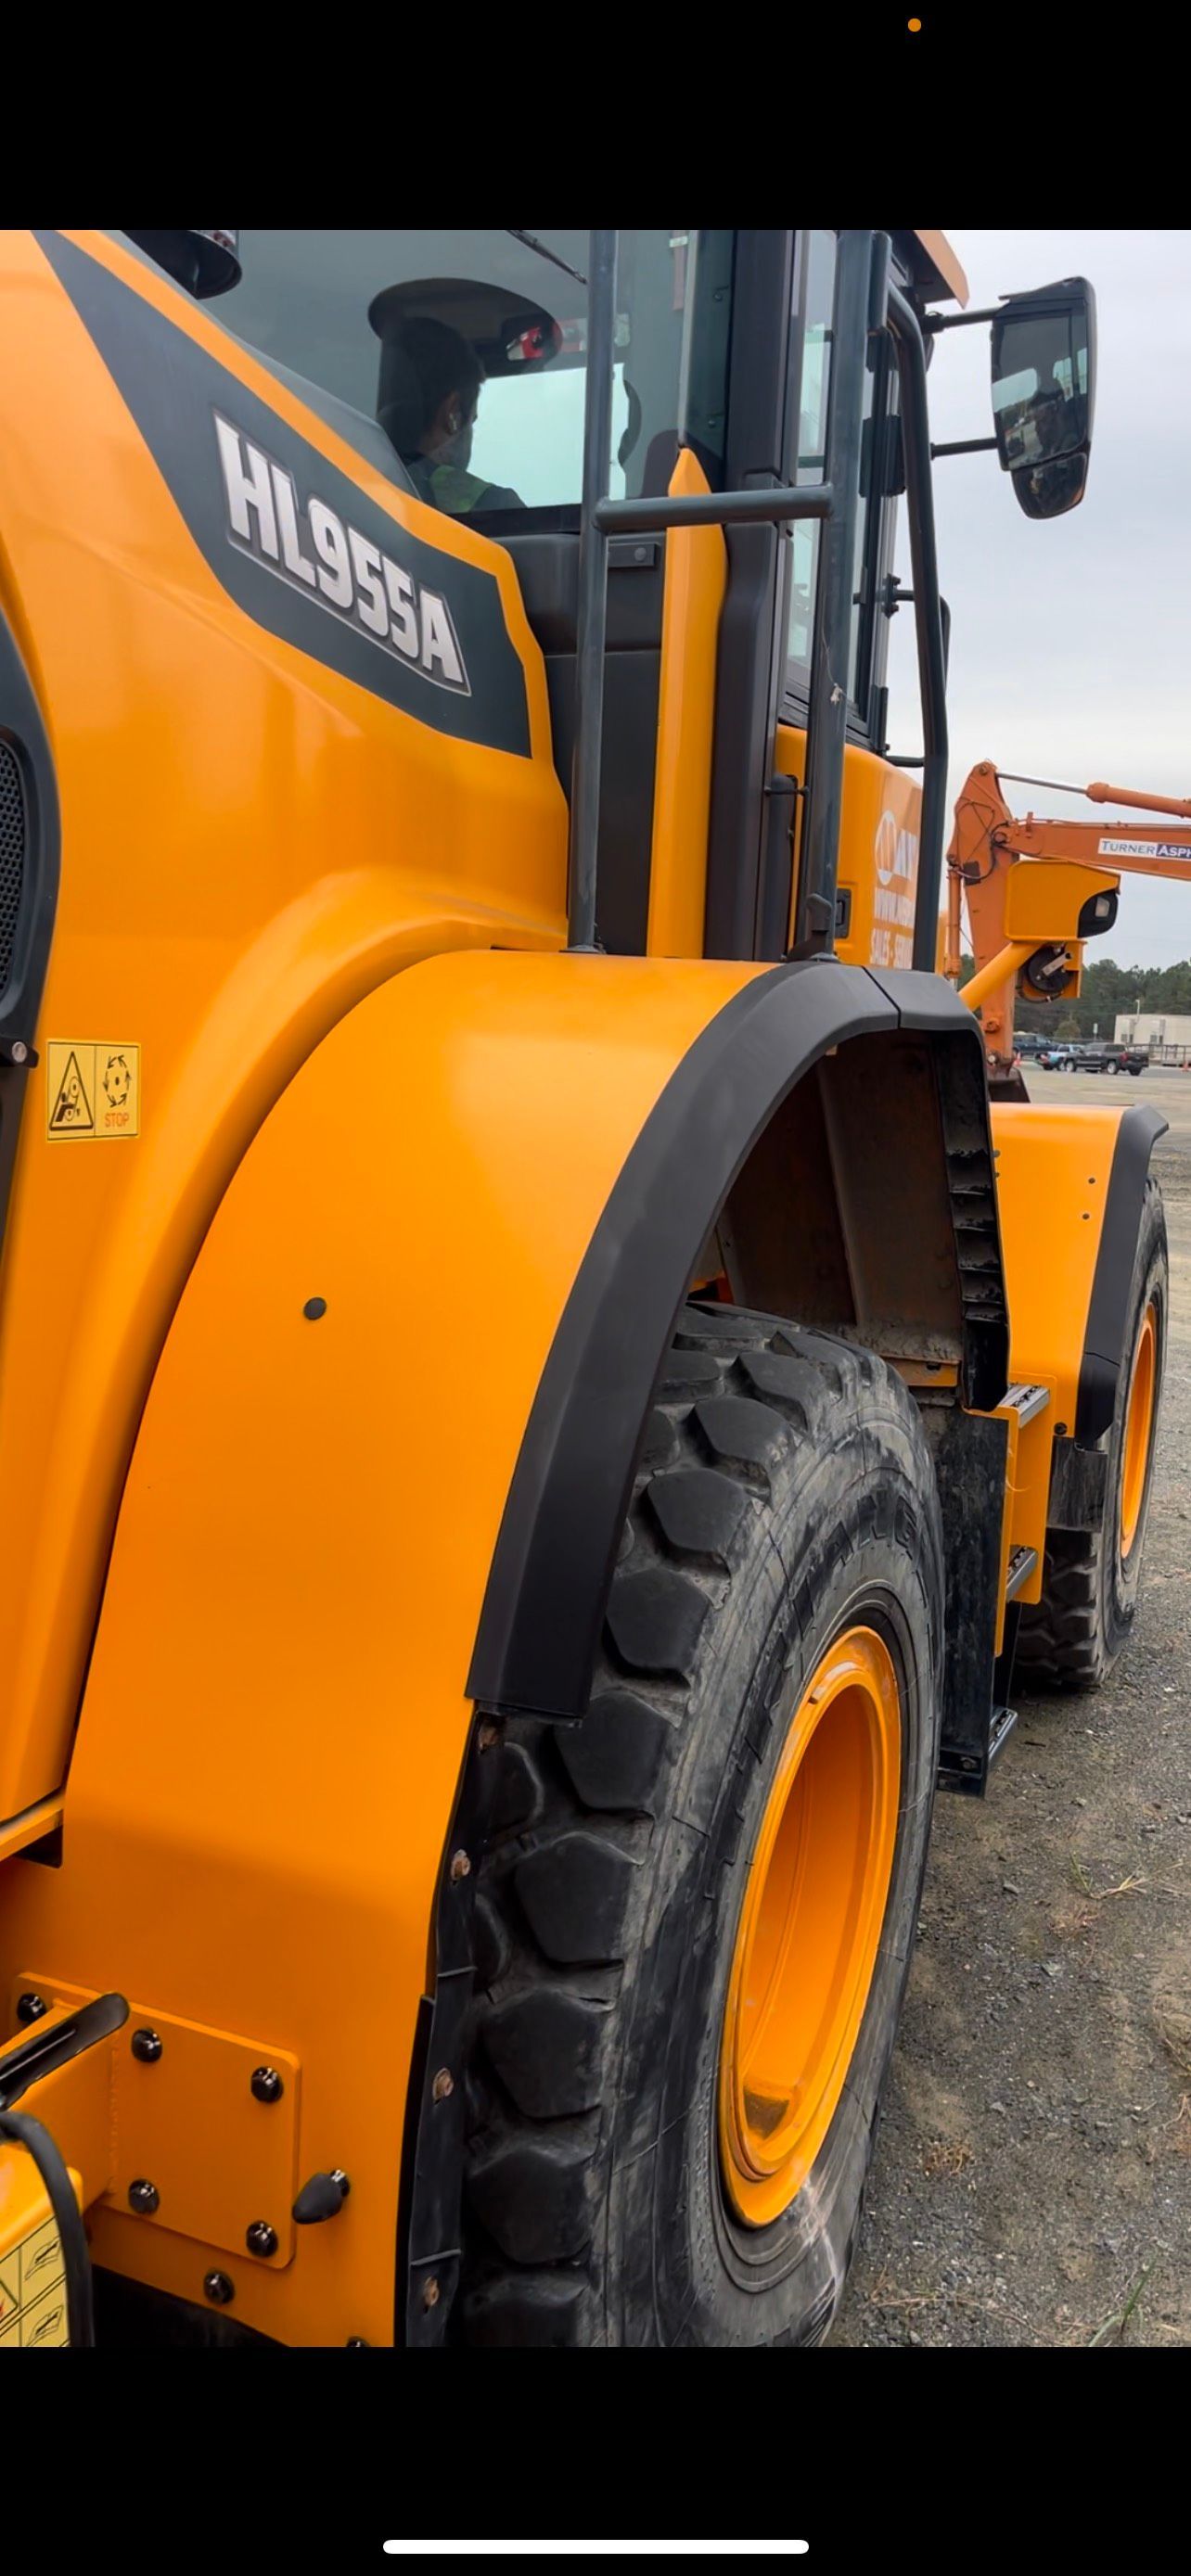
{"x":251,"y":841}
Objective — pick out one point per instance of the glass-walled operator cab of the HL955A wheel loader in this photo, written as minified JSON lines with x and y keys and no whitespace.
{"x":721,"y":354}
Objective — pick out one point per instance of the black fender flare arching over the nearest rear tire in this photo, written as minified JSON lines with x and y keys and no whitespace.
{"x":566,"y":1506}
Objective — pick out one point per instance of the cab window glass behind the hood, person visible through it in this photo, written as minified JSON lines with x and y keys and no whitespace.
{"x":468,"y":352}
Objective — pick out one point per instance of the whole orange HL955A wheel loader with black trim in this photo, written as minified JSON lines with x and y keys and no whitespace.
{"x":527,"y":1410}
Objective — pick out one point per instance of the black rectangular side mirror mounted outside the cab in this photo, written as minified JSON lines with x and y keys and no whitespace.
{"x":1045,"y":393}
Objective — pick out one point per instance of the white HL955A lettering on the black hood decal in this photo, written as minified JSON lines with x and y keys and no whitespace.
{"x":318,"y":553}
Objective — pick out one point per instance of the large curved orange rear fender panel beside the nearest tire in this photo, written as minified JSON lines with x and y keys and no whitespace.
{"x":277,"y":1707}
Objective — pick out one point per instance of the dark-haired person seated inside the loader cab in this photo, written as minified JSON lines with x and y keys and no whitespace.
{"x":429,"y":408}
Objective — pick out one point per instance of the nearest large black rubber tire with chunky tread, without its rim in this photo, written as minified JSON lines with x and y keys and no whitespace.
{"x":785,"y":1495}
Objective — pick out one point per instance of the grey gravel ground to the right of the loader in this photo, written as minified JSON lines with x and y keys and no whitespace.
{"x":1032,"y":2178}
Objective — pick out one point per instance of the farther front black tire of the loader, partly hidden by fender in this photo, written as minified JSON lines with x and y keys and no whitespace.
{"x":1089,"y":1588}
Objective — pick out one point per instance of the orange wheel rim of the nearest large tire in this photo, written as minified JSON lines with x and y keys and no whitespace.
{"x":811,"y":1926}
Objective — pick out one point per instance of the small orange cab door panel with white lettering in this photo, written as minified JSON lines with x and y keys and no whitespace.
{"x":878,"y":851}
